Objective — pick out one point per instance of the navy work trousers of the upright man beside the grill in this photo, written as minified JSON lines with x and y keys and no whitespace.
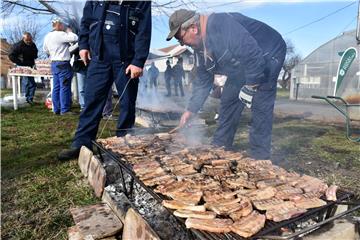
{"x":100,"y":77}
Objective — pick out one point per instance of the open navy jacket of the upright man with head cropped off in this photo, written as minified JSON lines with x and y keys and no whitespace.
{"x":134,"y":36}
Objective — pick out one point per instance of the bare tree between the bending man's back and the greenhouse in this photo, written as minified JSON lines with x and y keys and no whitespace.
{"x":291,"y":60}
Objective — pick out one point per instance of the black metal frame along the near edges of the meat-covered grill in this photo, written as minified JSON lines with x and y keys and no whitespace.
{"x":324,"y":214}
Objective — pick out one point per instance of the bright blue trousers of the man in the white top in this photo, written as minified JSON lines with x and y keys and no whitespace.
{"x":61,"y":94}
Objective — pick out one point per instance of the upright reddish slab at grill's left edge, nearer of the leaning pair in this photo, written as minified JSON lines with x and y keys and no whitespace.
{"x":96,"y":176}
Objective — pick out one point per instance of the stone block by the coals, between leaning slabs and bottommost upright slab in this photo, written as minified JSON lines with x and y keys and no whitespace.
{"x":118,"y":202}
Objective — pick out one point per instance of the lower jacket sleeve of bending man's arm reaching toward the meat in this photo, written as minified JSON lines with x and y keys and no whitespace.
{"x":201,"y":88}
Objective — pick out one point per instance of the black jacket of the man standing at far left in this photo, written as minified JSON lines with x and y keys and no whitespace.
{"x":23,"y":55}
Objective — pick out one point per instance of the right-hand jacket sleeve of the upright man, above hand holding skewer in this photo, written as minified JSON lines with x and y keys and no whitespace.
{"x":143,"y":36}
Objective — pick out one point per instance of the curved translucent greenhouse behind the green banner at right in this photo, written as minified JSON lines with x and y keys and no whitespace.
{"x":317,"y":73}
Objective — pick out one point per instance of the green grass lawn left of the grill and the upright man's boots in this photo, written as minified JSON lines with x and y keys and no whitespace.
{"x":37,"y":190}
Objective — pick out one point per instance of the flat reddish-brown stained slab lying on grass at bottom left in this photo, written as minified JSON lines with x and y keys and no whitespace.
{"x":96,"y":221}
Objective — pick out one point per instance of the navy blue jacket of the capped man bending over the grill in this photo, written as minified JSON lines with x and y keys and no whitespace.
{"x":236,"y":46}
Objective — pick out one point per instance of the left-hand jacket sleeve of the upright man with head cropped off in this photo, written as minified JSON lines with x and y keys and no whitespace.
{"x":85,"y":26}
